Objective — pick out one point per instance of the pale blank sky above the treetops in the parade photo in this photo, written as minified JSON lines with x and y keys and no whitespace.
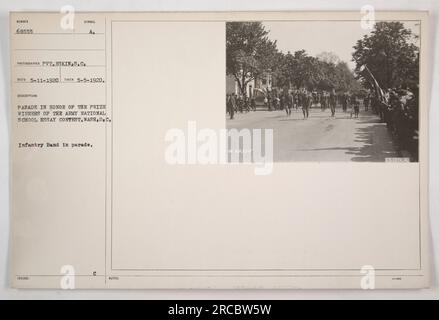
{"x":319,"y":36}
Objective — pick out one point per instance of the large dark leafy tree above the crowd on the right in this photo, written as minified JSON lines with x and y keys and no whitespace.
{"x":391,"y":55}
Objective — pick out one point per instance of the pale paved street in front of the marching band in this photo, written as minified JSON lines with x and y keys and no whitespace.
{"x":320,"y":137}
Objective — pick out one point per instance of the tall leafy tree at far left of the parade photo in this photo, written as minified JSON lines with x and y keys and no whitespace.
{"x":249,"y":52}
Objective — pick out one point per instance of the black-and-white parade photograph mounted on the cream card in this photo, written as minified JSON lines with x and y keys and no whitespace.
{"x":329,"y":90}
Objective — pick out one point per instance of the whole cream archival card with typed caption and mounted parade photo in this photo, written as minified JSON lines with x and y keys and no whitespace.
{"x":236,"y":150}
